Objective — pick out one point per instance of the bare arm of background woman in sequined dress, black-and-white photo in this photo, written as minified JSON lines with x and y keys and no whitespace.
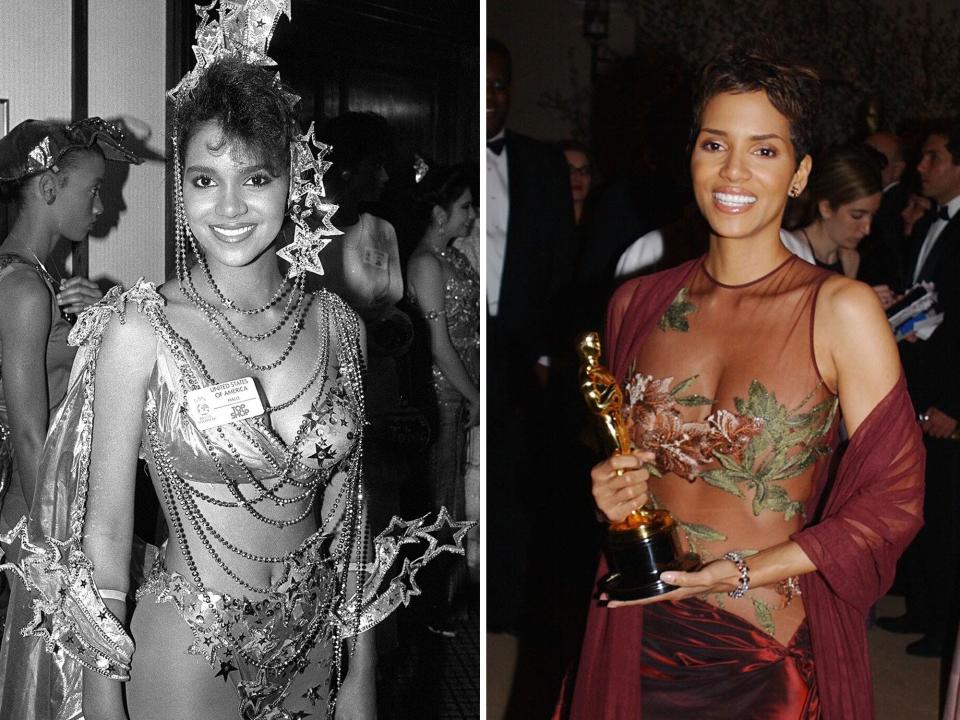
{"x":425,"y":277}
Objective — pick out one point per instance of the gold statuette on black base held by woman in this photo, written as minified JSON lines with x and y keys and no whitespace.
{"x":646,"y":543}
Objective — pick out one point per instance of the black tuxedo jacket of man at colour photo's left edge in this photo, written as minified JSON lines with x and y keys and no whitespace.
{"x":540,"y":252}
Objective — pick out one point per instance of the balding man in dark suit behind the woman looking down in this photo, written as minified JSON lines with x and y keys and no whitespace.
{"x":882,"y":251}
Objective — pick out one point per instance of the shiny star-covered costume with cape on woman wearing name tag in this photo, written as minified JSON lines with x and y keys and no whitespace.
{"x":320,"y":595}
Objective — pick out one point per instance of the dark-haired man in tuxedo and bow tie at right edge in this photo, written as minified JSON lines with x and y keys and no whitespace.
{"x":932,"y":367}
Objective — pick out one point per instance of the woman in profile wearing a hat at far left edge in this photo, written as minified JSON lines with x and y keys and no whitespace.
{"x":56,"y":196}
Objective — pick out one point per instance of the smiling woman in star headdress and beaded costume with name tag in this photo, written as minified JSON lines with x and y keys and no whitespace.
{"x":244,"y":394}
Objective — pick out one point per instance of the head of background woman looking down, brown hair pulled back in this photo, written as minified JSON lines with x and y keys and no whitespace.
{"x":835,"y":209}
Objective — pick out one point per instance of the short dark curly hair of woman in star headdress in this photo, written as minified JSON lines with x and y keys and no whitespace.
{"x":250,"y":106}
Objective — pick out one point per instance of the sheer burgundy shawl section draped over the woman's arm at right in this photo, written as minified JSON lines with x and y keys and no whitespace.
{"x":871,"y":513}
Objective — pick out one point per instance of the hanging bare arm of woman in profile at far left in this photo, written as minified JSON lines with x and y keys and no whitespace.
{"x":24,"y":330}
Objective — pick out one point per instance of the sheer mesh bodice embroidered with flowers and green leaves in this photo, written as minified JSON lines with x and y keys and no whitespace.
{"x":746,"y":350}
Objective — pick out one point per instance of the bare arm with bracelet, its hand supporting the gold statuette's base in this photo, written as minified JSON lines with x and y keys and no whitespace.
{"x":857,"y":357}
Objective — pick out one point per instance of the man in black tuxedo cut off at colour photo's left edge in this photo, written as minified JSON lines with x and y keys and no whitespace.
{"x":530,"y":256}
